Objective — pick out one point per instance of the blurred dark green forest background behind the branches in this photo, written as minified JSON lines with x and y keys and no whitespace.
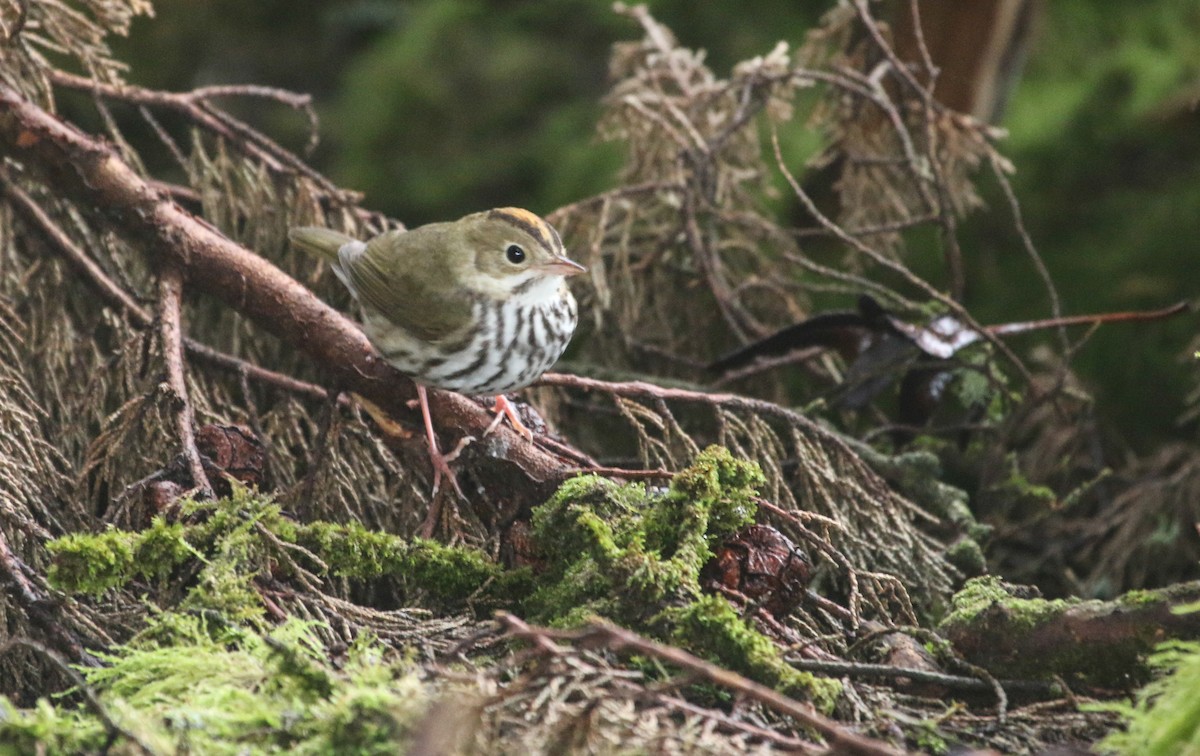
{"x":436,"y":109}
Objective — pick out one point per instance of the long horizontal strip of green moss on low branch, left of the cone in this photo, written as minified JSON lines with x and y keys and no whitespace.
{"x":238,"y":541}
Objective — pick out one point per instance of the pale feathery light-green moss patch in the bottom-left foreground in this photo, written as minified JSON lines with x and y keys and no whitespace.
{"x":184,"y":688}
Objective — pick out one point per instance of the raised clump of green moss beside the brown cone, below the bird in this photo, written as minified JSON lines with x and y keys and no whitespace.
{"x":626,"y":553}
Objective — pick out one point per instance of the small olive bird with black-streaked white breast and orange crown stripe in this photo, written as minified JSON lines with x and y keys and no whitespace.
{"x":479,"y":305}
